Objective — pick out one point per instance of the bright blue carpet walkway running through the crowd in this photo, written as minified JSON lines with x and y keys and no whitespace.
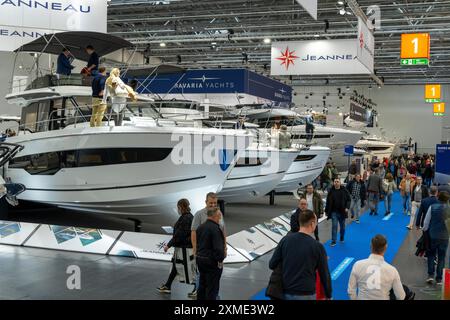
{"x":357,"y":245}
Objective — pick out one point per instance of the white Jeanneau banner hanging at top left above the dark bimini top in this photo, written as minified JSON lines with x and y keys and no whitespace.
{"x":22,"y":21}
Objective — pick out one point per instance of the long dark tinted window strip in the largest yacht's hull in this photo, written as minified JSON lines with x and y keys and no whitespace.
{"x":51,"y":162}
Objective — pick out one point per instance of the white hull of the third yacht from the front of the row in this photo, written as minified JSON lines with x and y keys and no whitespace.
{"x":305,"y":168}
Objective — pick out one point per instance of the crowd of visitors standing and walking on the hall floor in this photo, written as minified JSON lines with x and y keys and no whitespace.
{"x":308,"y":278}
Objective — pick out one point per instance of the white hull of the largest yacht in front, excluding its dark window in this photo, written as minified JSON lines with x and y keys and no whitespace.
{"x":141,"y":188}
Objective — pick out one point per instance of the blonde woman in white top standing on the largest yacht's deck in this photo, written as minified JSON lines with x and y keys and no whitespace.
{"x":119,"y":92}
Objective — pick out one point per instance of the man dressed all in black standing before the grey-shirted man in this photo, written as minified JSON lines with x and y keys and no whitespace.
{"x":210,"y":255}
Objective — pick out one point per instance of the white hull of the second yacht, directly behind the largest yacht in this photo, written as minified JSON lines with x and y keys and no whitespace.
{"x":247,"y":183}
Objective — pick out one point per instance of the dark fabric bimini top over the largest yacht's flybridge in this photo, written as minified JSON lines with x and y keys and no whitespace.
{"x":76,"y":42}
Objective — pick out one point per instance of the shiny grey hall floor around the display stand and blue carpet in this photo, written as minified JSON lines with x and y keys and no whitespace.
{"x":27,"y":273}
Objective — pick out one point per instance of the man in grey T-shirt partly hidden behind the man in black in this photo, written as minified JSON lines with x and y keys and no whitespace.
{"x":200,"y":218}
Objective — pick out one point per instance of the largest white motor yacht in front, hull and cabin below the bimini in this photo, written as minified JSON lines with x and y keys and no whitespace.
{"x":138,"y":168}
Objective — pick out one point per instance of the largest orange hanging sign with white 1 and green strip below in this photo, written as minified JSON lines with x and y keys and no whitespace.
{"x":415,"y":49}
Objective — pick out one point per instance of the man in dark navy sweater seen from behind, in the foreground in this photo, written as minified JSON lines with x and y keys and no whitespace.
{"x":301,"y":257}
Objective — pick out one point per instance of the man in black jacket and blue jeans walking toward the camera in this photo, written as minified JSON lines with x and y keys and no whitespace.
{"x":337,"y":207}
